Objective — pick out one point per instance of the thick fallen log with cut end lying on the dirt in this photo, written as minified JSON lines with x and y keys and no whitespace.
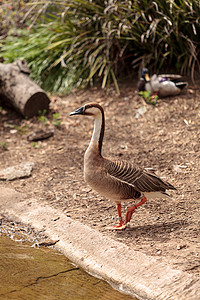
{"x":20,"y":91}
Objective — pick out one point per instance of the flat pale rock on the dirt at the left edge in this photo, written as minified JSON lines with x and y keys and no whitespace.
{"x":15,"y":172}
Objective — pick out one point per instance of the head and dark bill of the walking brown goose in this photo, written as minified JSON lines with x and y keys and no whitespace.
{"x":90,"y":109}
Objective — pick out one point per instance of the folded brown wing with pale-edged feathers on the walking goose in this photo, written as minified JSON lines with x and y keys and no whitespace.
{"x":141,"y":180}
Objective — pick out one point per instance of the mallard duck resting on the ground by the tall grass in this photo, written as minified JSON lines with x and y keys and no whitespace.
{"x":162,"y":85}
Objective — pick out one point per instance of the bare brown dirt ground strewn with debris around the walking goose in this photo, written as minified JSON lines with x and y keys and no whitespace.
{"x":166,"y":137}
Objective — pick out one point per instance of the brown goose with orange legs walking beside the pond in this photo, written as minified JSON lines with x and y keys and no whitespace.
{"x":117,"y":180}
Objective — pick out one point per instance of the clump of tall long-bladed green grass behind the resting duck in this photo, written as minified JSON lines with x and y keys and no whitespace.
{"x":79,"y":42}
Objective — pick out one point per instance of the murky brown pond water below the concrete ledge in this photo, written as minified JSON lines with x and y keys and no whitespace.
{"x":29,"y":273}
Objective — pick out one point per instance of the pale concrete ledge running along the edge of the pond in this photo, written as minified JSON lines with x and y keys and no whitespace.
{"x":128,"y":270}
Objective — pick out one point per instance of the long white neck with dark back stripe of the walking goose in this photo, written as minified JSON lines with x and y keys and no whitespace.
{"x":98,"y":133}
